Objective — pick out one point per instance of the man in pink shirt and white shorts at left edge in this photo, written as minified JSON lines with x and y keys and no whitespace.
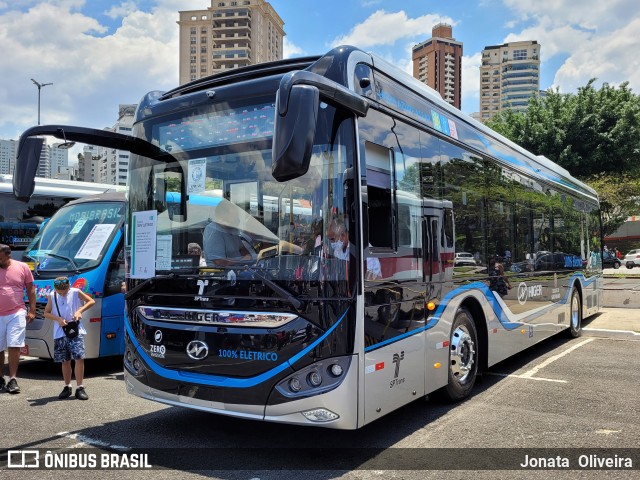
{"x":15,"y":278}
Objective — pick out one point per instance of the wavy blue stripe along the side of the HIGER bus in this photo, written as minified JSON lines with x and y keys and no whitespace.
{"x":501,"y":315}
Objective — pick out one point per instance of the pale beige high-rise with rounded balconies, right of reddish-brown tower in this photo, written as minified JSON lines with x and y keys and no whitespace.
{"x":509,"y":77}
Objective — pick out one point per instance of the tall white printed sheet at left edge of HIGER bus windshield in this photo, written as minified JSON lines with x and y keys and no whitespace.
{"x":143,"y":258}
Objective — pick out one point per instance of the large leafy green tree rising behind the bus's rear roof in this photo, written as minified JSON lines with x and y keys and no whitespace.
{"x":588,"y":133}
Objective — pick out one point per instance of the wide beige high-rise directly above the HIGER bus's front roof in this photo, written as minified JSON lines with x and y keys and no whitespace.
{"x":228,"y":34}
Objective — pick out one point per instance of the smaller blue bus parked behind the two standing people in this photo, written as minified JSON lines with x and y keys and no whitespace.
{"x":84,"y":241}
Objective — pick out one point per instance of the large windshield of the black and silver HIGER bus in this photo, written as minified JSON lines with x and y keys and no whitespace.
{"x":238,"y":217}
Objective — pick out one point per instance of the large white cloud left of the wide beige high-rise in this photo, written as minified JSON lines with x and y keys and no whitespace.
{"x":91,"y":74}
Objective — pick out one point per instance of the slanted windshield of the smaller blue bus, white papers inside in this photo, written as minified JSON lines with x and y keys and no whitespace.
{"x":76,"y":237}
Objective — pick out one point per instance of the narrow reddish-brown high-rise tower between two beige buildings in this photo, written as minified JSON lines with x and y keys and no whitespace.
{"x":437,"y":62}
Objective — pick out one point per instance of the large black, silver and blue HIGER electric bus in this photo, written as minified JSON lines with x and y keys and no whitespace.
{"x":368,"y":312}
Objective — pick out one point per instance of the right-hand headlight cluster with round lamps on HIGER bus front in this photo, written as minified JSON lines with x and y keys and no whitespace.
{"x":314,"y":379}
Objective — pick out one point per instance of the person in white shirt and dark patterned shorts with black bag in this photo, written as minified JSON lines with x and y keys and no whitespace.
{"x":63,"y":306}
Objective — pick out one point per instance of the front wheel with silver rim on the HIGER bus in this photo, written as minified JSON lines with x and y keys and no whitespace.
{"x":463,"y":357}
